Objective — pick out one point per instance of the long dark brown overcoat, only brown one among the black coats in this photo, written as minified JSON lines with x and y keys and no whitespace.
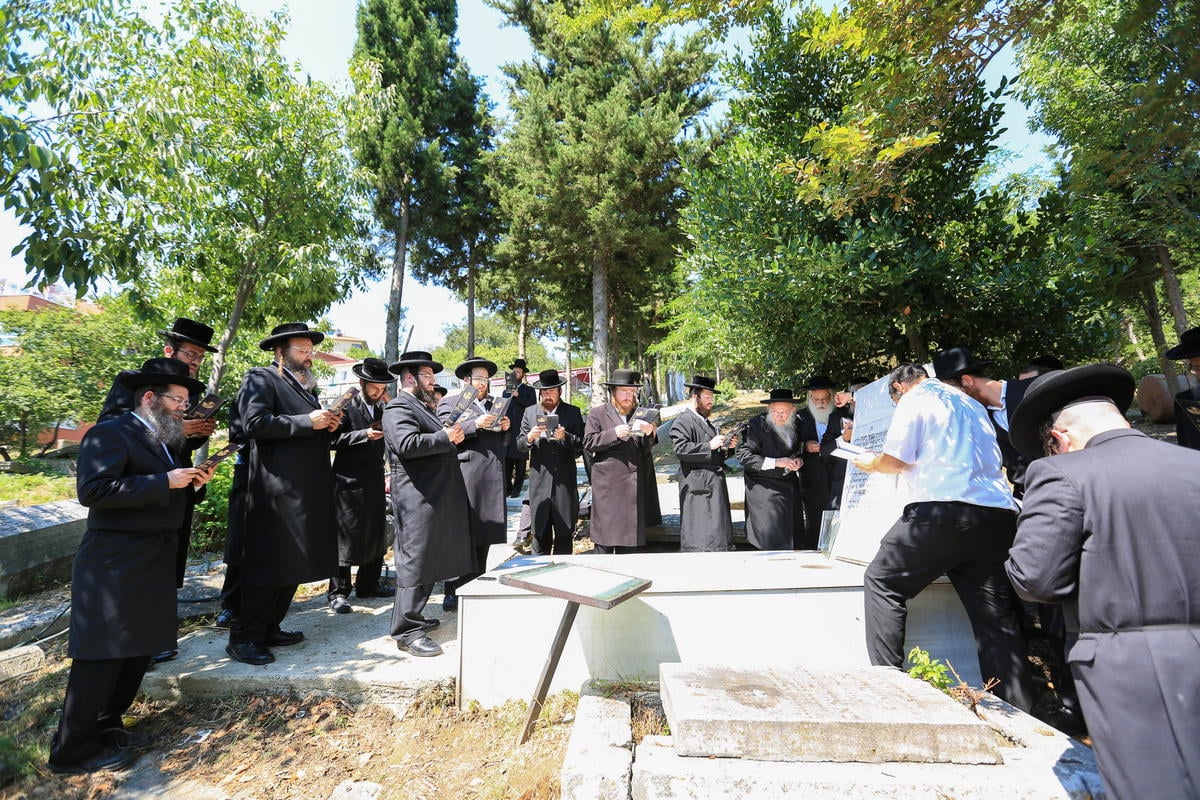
{"x":619,"y":488}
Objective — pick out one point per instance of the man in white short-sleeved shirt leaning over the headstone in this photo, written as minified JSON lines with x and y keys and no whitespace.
{"x":961,"y":524}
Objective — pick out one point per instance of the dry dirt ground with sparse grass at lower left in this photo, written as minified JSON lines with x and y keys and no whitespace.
{"x":291,"y":748}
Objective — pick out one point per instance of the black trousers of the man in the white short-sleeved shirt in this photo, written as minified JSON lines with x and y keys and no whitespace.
{"x":968,"y":544}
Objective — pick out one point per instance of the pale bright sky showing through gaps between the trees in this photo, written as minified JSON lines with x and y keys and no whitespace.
{"x":322,"y":38}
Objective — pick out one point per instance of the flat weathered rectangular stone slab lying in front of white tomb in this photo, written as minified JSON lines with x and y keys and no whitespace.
{"x":799,"y":714}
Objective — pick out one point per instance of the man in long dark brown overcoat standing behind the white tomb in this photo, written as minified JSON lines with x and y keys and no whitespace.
{"x":621,"y":449}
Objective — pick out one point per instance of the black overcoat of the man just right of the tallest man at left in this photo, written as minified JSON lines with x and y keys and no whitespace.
{"x":359,"y":502}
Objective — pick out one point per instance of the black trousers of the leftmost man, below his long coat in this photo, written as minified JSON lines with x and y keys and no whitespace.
{"x":99,"y":695}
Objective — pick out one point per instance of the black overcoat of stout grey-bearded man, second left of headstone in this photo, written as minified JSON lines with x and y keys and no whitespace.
{"x":775,"y":501}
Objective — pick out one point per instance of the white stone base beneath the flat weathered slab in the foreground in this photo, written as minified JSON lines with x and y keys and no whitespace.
{"x":1040,"y":765}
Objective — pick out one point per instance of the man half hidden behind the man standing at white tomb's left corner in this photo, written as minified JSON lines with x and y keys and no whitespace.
{"x":482,"y":462}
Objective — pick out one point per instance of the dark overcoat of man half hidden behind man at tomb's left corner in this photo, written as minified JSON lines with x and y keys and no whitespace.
{"x":482,"y":462}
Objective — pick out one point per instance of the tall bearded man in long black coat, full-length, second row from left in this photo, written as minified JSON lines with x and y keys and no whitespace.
{"x":290,"y":536}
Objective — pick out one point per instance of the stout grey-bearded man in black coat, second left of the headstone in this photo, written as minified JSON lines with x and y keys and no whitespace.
{"x":772,"y":455}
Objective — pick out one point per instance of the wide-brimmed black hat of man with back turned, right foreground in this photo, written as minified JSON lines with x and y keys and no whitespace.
{"x":1055,"y":390}
